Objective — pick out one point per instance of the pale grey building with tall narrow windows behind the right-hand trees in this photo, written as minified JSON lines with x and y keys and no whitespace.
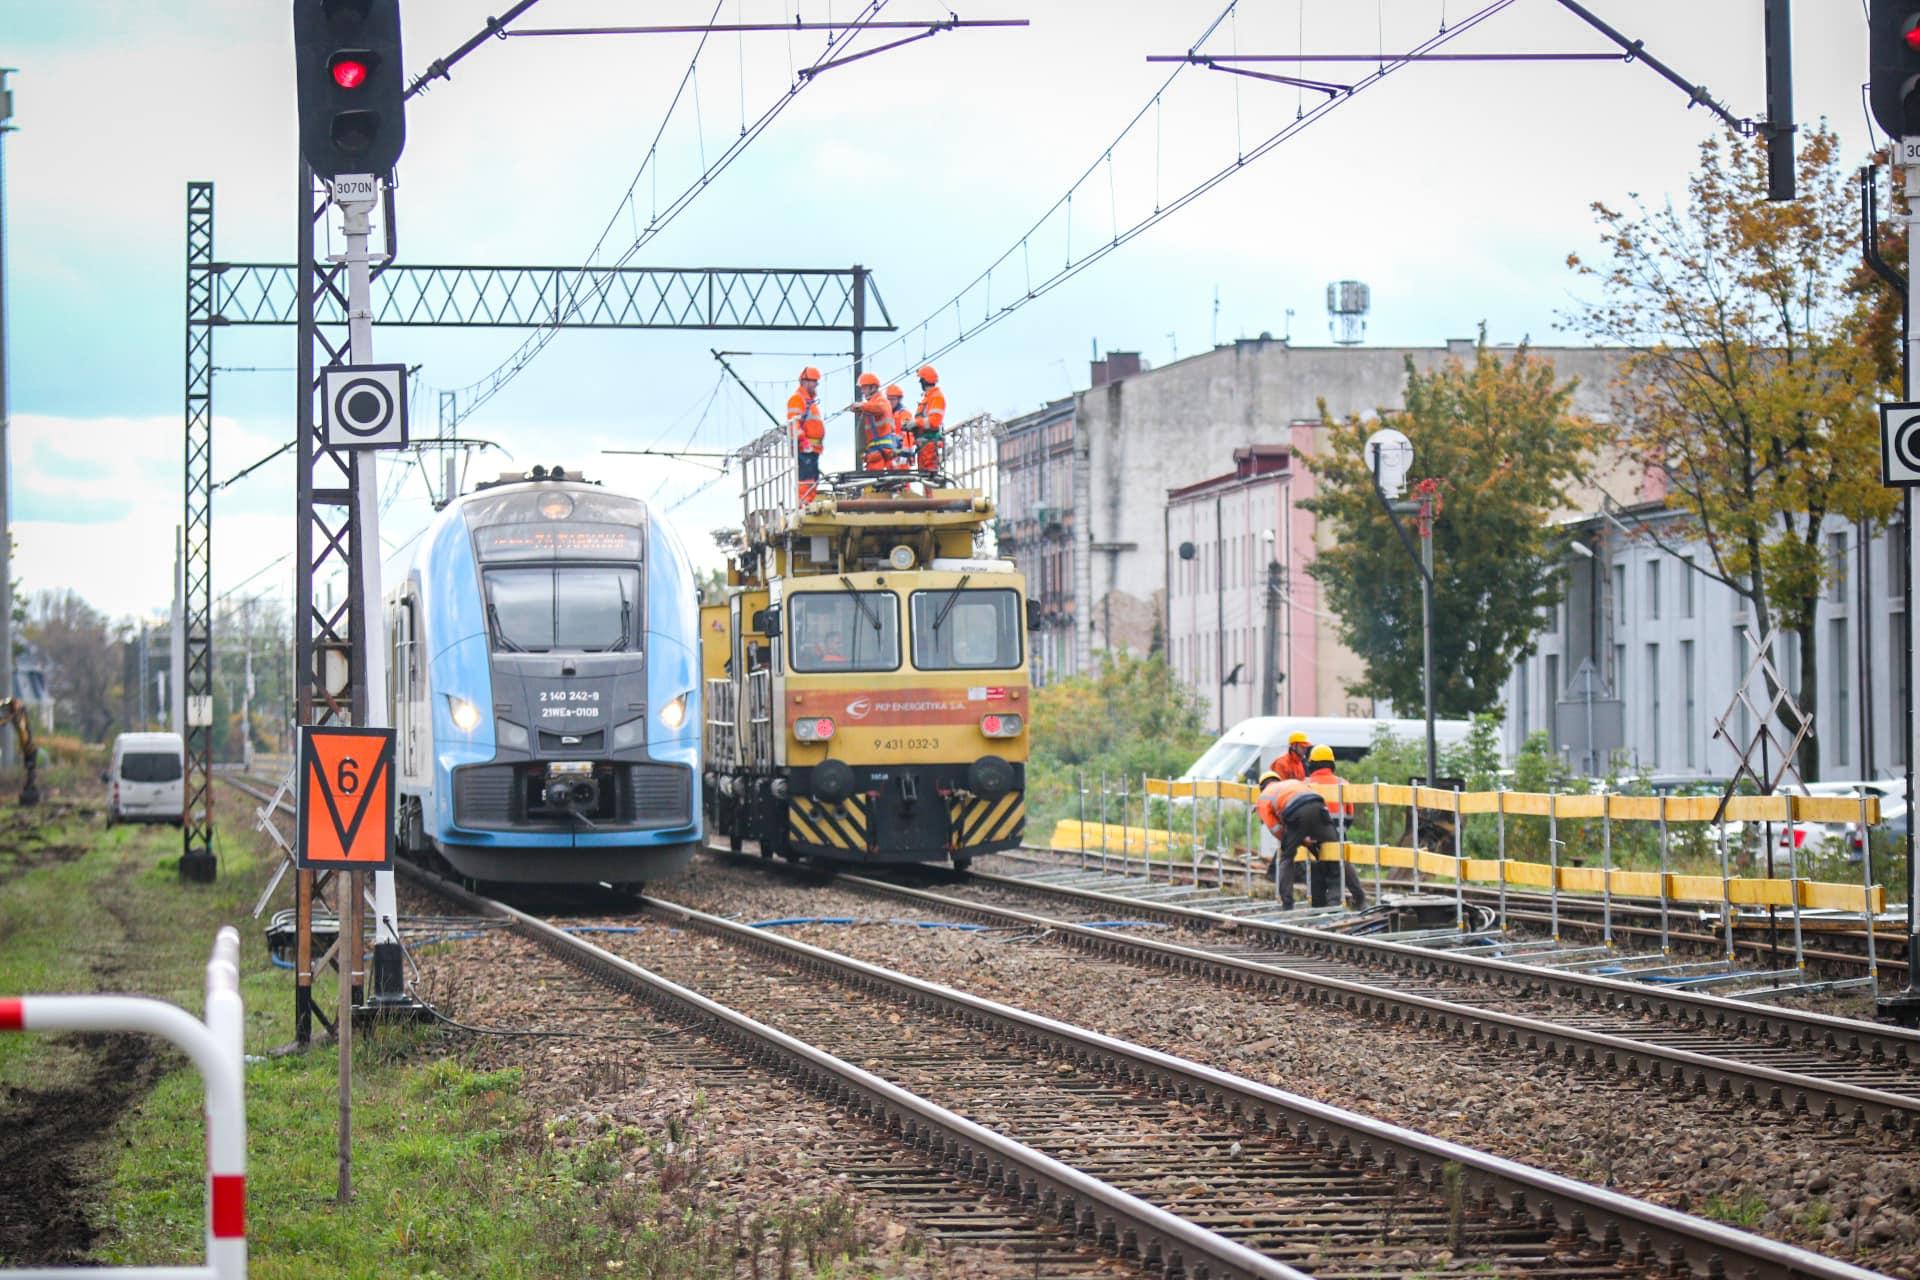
{"x":1668,"y":650}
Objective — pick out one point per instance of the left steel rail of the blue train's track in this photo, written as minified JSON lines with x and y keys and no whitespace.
{"x":1044,"y":1185}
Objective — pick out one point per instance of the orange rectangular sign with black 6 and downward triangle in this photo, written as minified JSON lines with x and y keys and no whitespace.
{"x":347,"y":799}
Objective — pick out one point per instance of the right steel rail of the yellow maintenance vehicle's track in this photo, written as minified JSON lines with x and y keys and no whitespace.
{"x":1687,"y":1007}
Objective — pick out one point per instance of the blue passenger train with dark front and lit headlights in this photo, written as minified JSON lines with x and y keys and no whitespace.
{"x":546,"y":688}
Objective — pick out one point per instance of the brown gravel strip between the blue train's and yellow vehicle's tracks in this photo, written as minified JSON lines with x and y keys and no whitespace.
{"x":1846,"y":1195}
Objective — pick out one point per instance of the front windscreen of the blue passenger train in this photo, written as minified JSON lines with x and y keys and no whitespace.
{"x":564,"y":609}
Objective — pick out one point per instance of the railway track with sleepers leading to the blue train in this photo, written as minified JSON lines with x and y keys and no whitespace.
{"x":1168,"y":1164}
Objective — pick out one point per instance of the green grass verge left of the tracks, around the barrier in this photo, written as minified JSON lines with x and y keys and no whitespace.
{"x":454,"y":1172}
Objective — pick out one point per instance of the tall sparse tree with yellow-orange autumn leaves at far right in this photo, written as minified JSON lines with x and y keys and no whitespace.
{"x":1756,"y":362}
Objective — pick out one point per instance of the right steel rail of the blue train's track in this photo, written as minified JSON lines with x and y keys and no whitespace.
{"x":1648,"y":1233}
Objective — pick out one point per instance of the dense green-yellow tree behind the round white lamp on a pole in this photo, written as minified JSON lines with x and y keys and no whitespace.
{"x":1504,"y":444}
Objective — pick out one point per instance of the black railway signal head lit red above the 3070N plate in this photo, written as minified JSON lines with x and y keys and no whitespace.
{"x":348,"y":76}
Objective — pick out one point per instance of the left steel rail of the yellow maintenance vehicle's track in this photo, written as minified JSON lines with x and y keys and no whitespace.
{"x":1698,"y":1072}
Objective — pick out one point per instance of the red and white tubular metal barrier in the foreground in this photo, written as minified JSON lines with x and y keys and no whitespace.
{"x":216,"y":1051}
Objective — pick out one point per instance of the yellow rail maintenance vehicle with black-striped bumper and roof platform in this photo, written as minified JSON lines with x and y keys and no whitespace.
{"x":873,"y":698}
